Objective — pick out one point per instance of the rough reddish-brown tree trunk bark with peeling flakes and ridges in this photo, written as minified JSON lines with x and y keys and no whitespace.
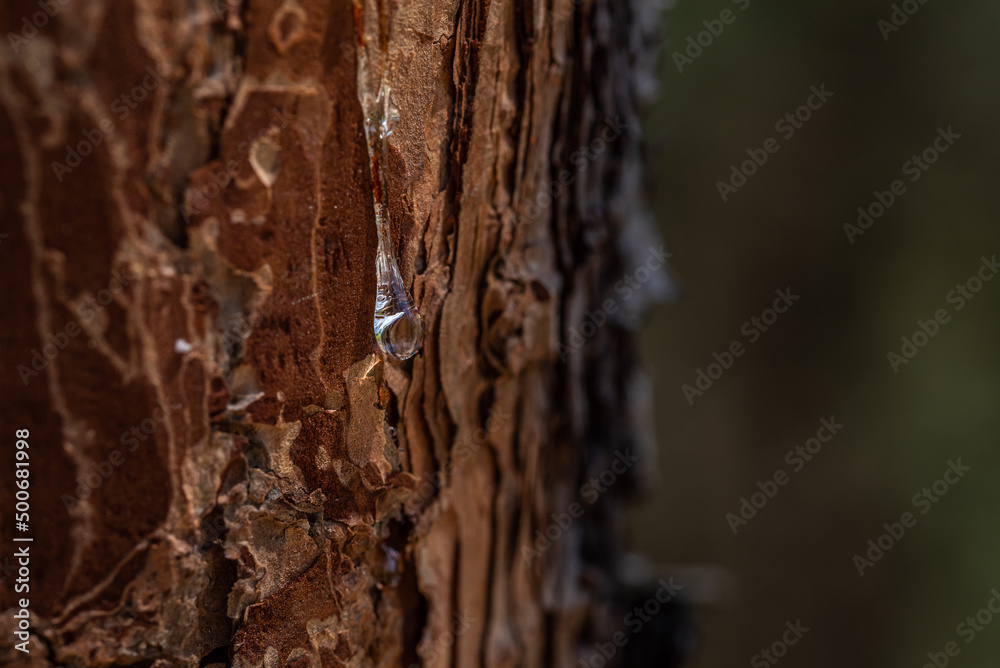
{"x":276,"y":494}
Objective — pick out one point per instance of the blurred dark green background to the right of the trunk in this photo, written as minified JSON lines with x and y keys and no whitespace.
{"x":827,"y":356}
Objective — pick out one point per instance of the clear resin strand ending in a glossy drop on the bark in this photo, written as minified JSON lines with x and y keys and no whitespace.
{"x":399,"y":329}
